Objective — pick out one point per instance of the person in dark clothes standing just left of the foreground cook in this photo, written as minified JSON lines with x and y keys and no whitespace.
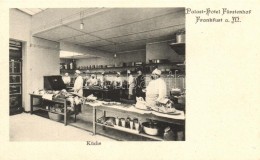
{"x":140,"y":85}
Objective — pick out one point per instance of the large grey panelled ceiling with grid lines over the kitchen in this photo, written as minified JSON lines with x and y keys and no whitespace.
{"x":119,"y":30}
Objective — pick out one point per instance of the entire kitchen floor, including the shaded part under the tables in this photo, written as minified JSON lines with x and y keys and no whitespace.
{"x":27,"y":127}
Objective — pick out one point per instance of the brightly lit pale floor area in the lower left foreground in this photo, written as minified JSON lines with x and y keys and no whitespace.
{"x":26,"y":127}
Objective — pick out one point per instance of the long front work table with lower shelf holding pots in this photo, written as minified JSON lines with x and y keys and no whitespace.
{"x":133,"y":112}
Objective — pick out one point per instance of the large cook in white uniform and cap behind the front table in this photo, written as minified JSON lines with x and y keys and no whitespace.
{"x":156,"y":89}
